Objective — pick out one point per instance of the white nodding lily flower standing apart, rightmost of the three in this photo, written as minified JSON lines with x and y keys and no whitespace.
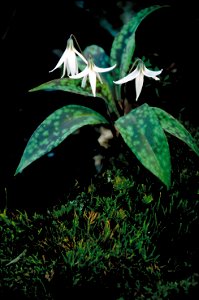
{"x":138,"y":74}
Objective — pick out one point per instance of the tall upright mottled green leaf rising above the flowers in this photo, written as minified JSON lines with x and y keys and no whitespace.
{"x":123,"y":46}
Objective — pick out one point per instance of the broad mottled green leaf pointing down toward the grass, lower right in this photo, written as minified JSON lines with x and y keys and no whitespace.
{"x":142,"y":132}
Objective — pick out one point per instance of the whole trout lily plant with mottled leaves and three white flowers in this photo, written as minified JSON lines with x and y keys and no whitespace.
{"x":142,"y":128}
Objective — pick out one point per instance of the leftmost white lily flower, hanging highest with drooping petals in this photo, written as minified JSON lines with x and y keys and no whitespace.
{"x":69,"y":59}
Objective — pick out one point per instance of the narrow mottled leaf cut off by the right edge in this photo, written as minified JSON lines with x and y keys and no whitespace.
{"x":174,"y":127}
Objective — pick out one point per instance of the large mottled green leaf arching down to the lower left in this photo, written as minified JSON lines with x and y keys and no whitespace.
{"x":55,"y":128}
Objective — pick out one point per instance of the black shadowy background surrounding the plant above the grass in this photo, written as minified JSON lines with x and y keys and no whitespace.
{"x":29,"y":33}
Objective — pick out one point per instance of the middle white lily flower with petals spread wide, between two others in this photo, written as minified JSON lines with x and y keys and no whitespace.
{"x":91,"y":71}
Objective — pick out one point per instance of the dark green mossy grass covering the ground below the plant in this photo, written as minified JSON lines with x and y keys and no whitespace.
{"x":124,"y":236}
